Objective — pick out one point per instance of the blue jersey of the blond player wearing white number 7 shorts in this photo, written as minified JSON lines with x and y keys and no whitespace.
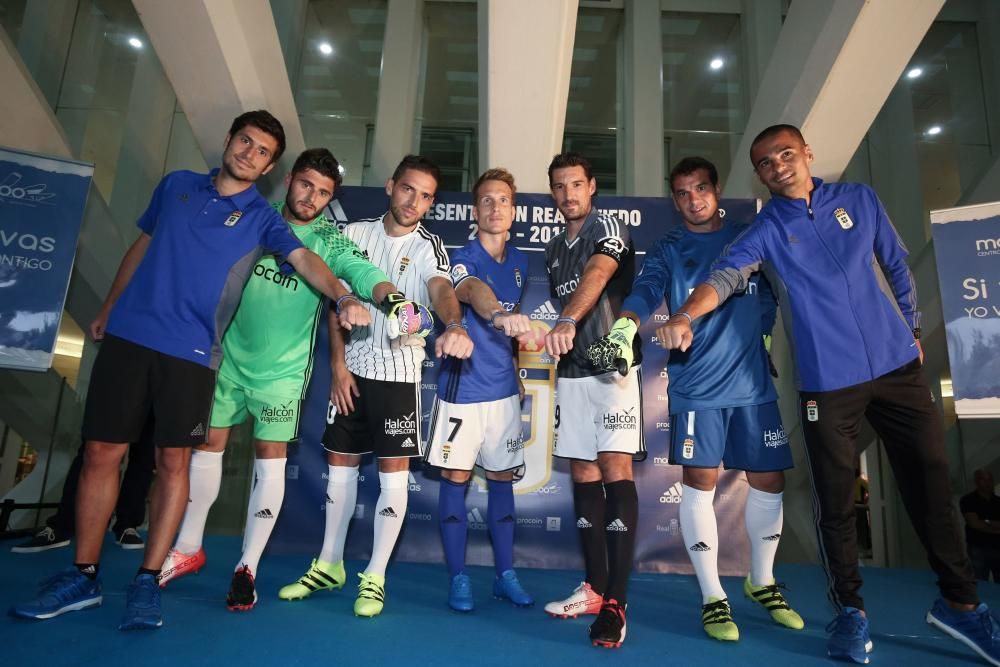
{"x":487,"y":375}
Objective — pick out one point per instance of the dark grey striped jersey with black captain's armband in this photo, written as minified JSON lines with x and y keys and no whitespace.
{"x":565,"y":261}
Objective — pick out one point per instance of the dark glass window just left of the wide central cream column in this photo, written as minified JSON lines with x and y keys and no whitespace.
{"x":448,"y":117}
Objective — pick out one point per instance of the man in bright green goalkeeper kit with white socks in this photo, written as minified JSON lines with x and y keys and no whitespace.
{"x":267,"y":361}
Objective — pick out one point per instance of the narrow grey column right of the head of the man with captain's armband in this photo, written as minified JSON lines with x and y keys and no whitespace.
{"x":641,"y":166}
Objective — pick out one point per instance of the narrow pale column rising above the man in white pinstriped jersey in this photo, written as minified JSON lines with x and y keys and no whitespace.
{"x":398,"y":88}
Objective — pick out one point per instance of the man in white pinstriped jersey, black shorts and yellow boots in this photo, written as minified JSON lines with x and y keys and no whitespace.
{"x":375,"y":394}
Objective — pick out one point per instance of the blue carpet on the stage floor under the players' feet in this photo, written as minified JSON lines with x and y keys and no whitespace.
{"x":417,"y":628}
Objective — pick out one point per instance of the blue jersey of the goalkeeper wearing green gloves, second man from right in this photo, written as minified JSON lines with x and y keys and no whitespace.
{"x":726,"y":365}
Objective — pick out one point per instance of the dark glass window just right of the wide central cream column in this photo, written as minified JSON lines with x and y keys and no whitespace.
{"x":594,"y":102}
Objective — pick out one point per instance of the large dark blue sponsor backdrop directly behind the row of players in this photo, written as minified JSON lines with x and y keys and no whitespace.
{"x":546,"y":524}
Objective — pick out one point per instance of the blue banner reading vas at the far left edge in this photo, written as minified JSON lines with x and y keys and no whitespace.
{"x":41,"y":208}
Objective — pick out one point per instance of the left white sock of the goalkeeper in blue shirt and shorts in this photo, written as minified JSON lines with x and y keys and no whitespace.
{"x":701,"y":539}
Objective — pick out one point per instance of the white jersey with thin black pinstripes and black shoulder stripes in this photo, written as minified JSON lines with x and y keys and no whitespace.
{"x":409,"y":261}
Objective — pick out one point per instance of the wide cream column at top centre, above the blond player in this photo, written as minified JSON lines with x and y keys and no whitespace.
{"x":525,"y":55}
